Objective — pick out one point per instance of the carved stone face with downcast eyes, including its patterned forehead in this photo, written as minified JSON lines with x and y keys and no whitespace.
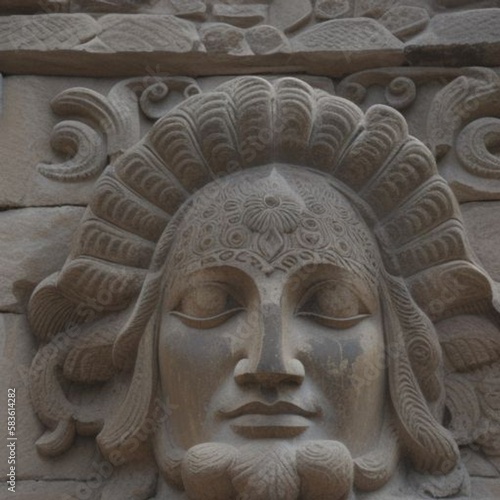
{"x":271,"y":323}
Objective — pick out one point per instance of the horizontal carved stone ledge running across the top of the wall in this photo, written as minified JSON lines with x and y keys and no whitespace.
{"x":196,"y":37}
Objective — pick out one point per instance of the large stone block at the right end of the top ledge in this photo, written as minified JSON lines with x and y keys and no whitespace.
{"x":458,"y":39}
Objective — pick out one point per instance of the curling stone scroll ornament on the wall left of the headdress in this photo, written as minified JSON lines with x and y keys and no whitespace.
{"x":114,"y":120}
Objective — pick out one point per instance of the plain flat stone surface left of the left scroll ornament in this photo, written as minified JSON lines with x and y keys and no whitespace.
{"x":26,"y":124}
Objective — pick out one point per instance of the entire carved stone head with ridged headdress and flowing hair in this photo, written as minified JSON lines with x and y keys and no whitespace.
{"x":289,"y":277}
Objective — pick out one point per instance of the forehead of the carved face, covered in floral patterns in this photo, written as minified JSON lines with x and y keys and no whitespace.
{"x":273,"y":219}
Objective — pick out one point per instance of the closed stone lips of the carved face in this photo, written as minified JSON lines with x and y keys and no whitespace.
{"x":279,"y":420}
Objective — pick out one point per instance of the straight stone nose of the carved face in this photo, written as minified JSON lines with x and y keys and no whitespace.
{"x":268,"y":363}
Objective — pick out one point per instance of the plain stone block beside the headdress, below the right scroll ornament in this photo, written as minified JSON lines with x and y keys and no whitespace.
{"x":482,"y":220}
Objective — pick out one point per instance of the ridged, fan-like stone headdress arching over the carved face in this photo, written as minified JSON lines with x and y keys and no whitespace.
{"x":125,"y":234}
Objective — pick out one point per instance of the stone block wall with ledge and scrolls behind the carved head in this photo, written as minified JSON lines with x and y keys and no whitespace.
{"x":85,"y":81}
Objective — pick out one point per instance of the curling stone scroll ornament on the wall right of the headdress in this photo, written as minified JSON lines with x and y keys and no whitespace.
{"x":458,"y":112}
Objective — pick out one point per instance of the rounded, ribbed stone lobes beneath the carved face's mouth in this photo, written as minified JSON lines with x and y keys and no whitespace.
{"x":273,"y":464}
